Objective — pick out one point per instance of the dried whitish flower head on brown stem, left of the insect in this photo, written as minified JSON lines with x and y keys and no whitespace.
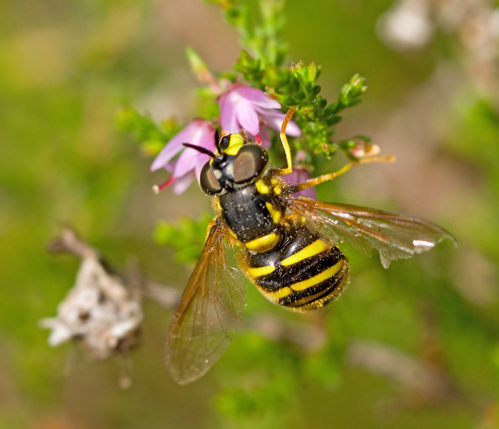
{"x":100,"y":311}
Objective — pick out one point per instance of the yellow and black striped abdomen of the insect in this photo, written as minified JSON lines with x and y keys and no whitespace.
{"x":304,"y":271}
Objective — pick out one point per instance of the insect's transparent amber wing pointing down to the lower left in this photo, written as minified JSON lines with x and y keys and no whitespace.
{"x":210,"y":307}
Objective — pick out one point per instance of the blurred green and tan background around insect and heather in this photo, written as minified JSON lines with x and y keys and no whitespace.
{"x":67,"y":67}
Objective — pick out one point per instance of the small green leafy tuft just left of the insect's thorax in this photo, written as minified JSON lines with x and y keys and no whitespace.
{"x":185,"y":237}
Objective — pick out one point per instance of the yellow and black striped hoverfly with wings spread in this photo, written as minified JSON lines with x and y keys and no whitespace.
{"x":286,"y":245}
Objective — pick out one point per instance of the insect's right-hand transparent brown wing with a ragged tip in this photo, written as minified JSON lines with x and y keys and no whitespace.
{"x":394,"y":235}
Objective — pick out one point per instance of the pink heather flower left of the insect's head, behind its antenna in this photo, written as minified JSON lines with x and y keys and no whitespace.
{"x":189,"y":164}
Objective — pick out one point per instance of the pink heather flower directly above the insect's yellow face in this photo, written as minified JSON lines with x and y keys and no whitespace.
{"x":243,"y":107}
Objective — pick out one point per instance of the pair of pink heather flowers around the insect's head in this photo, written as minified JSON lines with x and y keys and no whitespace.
{"x":241,"y":107}
